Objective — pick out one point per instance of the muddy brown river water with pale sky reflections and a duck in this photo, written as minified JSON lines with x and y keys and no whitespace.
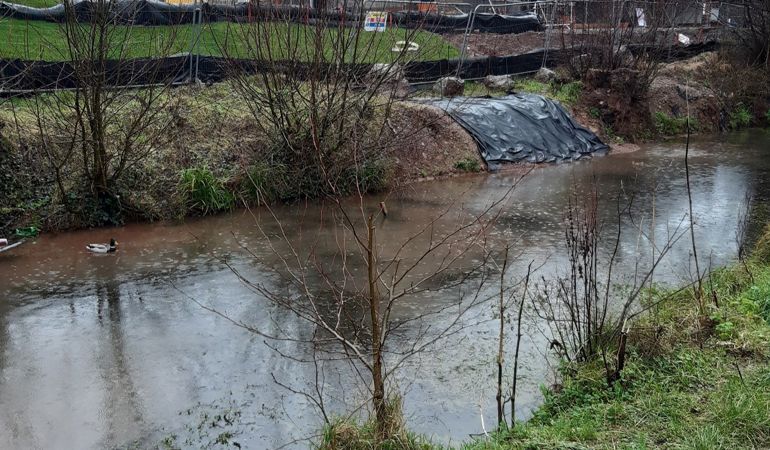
{"x":112,"y":351}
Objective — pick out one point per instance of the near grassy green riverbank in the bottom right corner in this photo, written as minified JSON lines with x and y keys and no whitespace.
{"x":691,"y":381}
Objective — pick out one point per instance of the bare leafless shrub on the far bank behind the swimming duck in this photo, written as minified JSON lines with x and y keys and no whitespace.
{"x":95,"y":133}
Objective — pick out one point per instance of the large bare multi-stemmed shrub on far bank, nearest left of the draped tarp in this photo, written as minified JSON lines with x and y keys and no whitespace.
{"x":321,"y":108}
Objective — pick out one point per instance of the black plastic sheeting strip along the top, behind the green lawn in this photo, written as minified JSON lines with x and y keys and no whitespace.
{"x":151,"y":12}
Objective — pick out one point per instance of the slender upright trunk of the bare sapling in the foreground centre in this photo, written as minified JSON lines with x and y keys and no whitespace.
{"x":378,"y":398}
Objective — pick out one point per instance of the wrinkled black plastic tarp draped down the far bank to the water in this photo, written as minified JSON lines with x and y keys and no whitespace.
{"x":522,"y":127}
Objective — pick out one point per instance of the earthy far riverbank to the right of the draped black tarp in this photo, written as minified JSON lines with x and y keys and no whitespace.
{"x":702,"y":91}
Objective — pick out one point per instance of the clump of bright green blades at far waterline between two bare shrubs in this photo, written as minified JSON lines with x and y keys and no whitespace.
{"x":204,"y":192}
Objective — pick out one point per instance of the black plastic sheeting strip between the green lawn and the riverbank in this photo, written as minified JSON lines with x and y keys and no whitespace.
{"x":17,"y":76}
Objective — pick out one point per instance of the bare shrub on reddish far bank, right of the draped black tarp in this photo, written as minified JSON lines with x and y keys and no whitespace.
{"x":618,"y":59}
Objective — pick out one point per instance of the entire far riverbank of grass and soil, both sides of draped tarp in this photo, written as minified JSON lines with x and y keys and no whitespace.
{"x":211,"y":159}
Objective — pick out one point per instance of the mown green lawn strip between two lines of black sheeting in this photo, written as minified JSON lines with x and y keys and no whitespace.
{"x":45,"y":41}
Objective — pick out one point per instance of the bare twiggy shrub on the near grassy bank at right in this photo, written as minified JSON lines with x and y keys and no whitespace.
{"x":589,"y":316}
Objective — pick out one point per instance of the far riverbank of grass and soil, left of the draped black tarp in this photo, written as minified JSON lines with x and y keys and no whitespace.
{"x":212,"y":158}
